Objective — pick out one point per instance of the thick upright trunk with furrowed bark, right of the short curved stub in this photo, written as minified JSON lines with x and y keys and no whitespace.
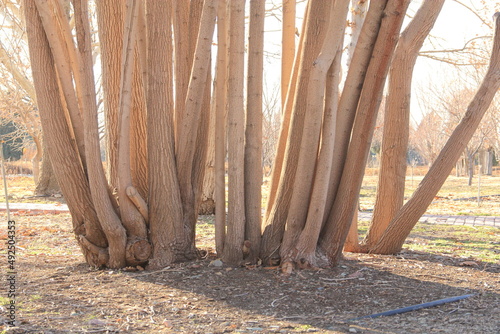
{"x":165,"y":209}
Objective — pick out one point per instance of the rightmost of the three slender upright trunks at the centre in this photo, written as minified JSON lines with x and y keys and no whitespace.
{"x":253,"y":129}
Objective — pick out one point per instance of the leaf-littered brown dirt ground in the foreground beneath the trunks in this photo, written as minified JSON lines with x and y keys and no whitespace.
{"x":59,"y":293}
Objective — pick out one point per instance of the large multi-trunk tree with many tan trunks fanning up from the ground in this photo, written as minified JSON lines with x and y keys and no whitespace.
{"x":157,"y":77}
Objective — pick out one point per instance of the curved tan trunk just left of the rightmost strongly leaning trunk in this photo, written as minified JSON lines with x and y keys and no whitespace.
{"x":392,"y":174}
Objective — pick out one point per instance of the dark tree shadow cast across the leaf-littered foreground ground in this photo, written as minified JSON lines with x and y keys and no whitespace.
{"x":325,"y":299}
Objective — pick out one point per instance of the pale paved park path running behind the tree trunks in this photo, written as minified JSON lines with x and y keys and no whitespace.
{"x":38,"y":208}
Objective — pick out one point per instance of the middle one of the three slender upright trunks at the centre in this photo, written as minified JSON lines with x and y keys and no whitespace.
{"x":235,"y":236}
